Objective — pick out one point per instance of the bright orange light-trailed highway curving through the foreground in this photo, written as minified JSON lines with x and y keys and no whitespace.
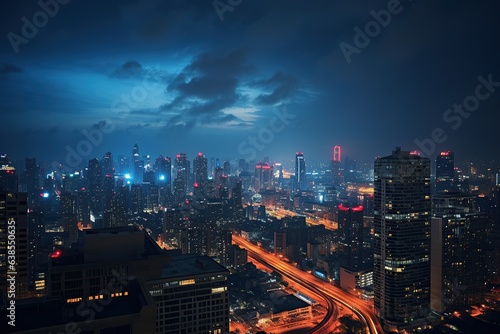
{"x":353,"y":303}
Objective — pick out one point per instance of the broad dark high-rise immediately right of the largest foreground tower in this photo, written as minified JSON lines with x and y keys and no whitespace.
{"x":458,"y":270}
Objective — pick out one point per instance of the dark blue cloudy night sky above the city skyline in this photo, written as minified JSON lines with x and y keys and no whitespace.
{"x":185,"y":76}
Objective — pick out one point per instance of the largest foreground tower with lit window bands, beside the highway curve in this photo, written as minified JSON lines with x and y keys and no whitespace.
{"x":402,"y":209}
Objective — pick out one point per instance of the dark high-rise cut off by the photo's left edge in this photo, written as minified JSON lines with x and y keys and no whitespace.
{"x":14,"y":232}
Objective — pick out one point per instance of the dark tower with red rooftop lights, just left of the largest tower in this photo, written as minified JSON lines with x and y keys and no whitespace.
{"x":350,"y":231}
